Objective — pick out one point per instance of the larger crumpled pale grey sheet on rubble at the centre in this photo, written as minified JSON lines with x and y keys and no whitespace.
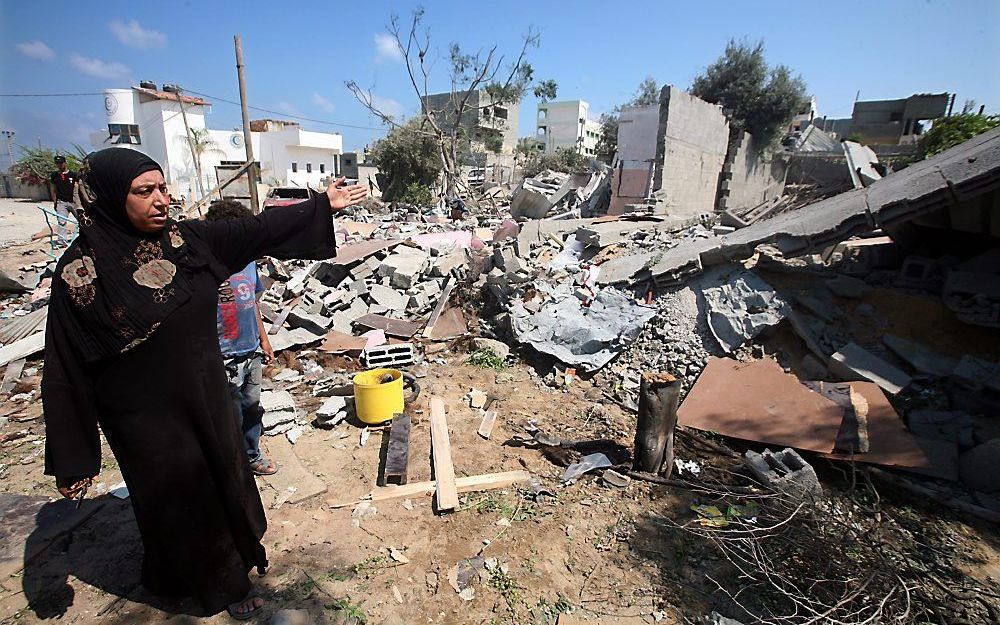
{"x":581,"y":336}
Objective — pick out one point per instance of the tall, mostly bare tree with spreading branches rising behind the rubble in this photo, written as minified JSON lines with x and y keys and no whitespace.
{"x":487,"y":71}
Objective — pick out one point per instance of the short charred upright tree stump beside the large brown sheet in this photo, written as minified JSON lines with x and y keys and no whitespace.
{"x":654,"y":432}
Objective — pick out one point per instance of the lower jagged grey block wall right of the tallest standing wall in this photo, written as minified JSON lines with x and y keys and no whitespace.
{"x":751,"y":176}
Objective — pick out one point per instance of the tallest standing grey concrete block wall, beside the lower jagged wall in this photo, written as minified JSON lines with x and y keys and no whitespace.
{"x":691,"y":145}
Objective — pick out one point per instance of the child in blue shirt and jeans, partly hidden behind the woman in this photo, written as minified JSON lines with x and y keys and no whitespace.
{"x":244,"y":344}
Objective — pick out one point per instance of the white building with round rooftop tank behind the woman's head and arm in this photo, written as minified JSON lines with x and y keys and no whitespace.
{"x":149,"y":120}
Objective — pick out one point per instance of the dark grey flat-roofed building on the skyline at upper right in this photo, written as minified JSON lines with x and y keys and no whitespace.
{"x":890,"y":122}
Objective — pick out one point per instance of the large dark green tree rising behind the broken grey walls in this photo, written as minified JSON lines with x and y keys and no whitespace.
{"x":762,"y":99}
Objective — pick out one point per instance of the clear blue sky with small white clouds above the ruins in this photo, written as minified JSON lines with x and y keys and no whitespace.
{"x":298,"y":55}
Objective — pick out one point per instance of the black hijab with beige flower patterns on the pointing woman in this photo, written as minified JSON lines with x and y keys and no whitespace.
{"x":115,"y":284}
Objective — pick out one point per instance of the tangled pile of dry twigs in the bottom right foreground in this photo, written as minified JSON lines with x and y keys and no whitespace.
{"x":841,"y":560}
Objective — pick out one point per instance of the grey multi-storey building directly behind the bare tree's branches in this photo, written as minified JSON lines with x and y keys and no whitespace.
{"x":484,"y":121}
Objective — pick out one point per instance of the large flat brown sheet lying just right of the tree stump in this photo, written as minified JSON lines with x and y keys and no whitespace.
{"x":758,"y":401}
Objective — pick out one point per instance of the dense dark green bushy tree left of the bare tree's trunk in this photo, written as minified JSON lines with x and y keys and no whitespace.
{"x":407,"y":156}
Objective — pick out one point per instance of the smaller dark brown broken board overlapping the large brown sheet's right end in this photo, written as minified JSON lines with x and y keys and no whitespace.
{"x":892,"y":445}
